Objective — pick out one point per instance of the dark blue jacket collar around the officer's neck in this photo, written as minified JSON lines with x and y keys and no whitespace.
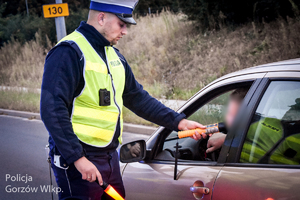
{"x":93,"y":36}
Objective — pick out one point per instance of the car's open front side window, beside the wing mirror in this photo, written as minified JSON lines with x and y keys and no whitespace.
{"x":212,"y":112}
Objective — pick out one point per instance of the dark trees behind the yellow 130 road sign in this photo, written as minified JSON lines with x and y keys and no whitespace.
{"x":14,"y":23}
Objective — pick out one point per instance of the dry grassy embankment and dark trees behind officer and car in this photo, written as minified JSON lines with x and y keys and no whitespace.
{"x":176,"y":49}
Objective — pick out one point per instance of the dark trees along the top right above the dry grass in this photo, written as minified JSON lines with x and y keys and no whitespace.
{"x":212,"y":13}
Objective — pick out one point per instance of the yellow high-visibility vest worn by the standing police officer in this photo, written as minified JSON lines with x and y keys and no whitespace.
{"x":93,"y":124}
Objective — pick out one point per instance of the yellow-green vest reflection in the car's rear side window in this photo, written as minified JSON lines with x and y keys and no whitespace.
{"x":262,"y":136}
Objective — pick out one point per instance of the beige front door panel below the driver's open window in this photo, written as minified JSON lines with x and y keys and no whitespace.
{"x":155,"y":181}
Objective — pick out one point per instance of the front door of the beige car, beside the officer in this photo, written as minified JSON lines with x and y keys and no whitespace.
{"x":154,"y":177}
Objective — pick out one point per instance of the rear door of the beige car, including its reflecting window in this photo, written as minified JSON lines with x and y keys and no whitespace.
{"x":264,"y":154}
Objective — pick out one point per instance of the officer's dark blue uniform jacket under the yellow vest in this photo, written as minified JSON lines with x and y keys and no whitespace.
{"x":63,"y":81}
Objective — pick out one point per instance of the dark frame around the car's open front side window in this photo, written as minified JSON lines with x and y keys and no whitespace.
{"x":205,"y":98}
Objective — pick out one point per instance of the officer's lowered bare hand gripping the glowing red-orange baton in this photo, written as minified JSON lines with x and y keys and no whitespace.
{"x":88,"y":170}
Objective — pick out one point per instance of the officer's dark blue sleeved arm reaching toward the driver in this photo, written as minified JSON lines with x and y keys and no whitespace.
{"x":141,"y":103}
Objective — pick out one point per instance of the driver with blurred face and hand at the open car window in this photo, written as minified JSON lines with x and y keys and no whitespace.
{"x":216,"y":140}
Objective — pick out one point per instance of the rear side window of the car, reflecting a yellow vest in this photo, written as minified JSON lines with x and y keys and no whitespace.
{"x":274,"y":133}
